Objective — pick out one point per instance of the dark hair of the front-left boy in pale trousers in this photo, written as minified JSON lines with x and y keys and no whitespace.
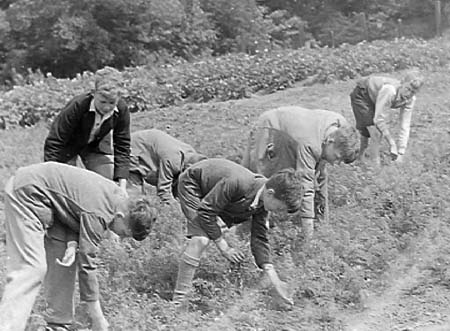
{"x":142,"y":217}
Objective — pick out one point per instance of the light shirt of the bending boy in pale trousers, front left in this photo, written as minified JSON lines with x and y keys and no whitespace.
{"x":82,"y":201}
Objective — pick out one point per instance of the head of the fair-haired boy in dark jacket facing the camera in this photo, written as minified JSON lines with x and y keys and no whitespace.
{"x":107,"y":89}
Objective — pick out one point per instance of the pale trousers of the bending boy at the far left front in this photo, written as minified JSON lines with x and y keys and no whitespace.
{"x":26,"y":263}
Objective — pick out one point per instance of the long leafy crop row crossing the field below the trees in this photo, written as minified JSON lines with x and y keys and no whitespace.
{"x":228,"y":77}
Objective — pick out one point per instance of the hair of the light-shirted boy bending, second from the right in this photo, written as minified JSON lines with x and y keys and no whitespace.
{"x":346,"y":139}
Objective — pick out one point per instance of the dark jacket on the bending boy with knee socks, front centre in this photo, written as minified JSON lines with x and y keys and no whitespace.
{"x":228,"y":190}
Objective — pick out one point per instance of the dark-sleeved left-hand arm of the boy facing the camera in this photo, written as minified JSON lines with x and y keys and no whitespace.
{"x":62,"y":129}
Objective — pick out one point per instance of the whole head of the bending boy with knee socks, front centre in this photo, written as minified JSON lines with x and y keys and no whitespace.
{"x":283,"y":191}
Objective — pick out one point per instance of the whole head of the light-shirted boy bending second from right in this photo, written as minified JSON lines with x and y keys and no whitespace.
{"x":342,"y":145}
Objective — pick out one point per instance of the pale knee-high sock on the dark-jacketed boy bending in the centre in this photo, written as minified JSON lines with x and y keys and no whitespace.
{"x":186,"y":270}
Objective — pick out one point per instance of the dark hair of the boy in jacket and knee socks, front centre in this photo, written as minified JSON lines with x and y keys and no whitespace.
{"x":287,"y":187}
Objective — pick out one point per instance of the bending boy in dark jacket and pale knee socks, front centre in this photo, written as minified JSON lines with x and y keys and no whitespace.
{"x":221,"y":188}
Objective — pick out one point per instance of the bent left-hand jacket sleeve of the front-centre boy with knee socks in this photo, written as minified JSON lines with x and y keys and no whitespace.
{"x":215,"y":202}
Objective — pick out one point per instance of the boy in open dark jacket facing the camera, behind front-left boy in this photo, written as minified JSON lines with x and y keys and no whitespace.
{"x":96,"y":127}
